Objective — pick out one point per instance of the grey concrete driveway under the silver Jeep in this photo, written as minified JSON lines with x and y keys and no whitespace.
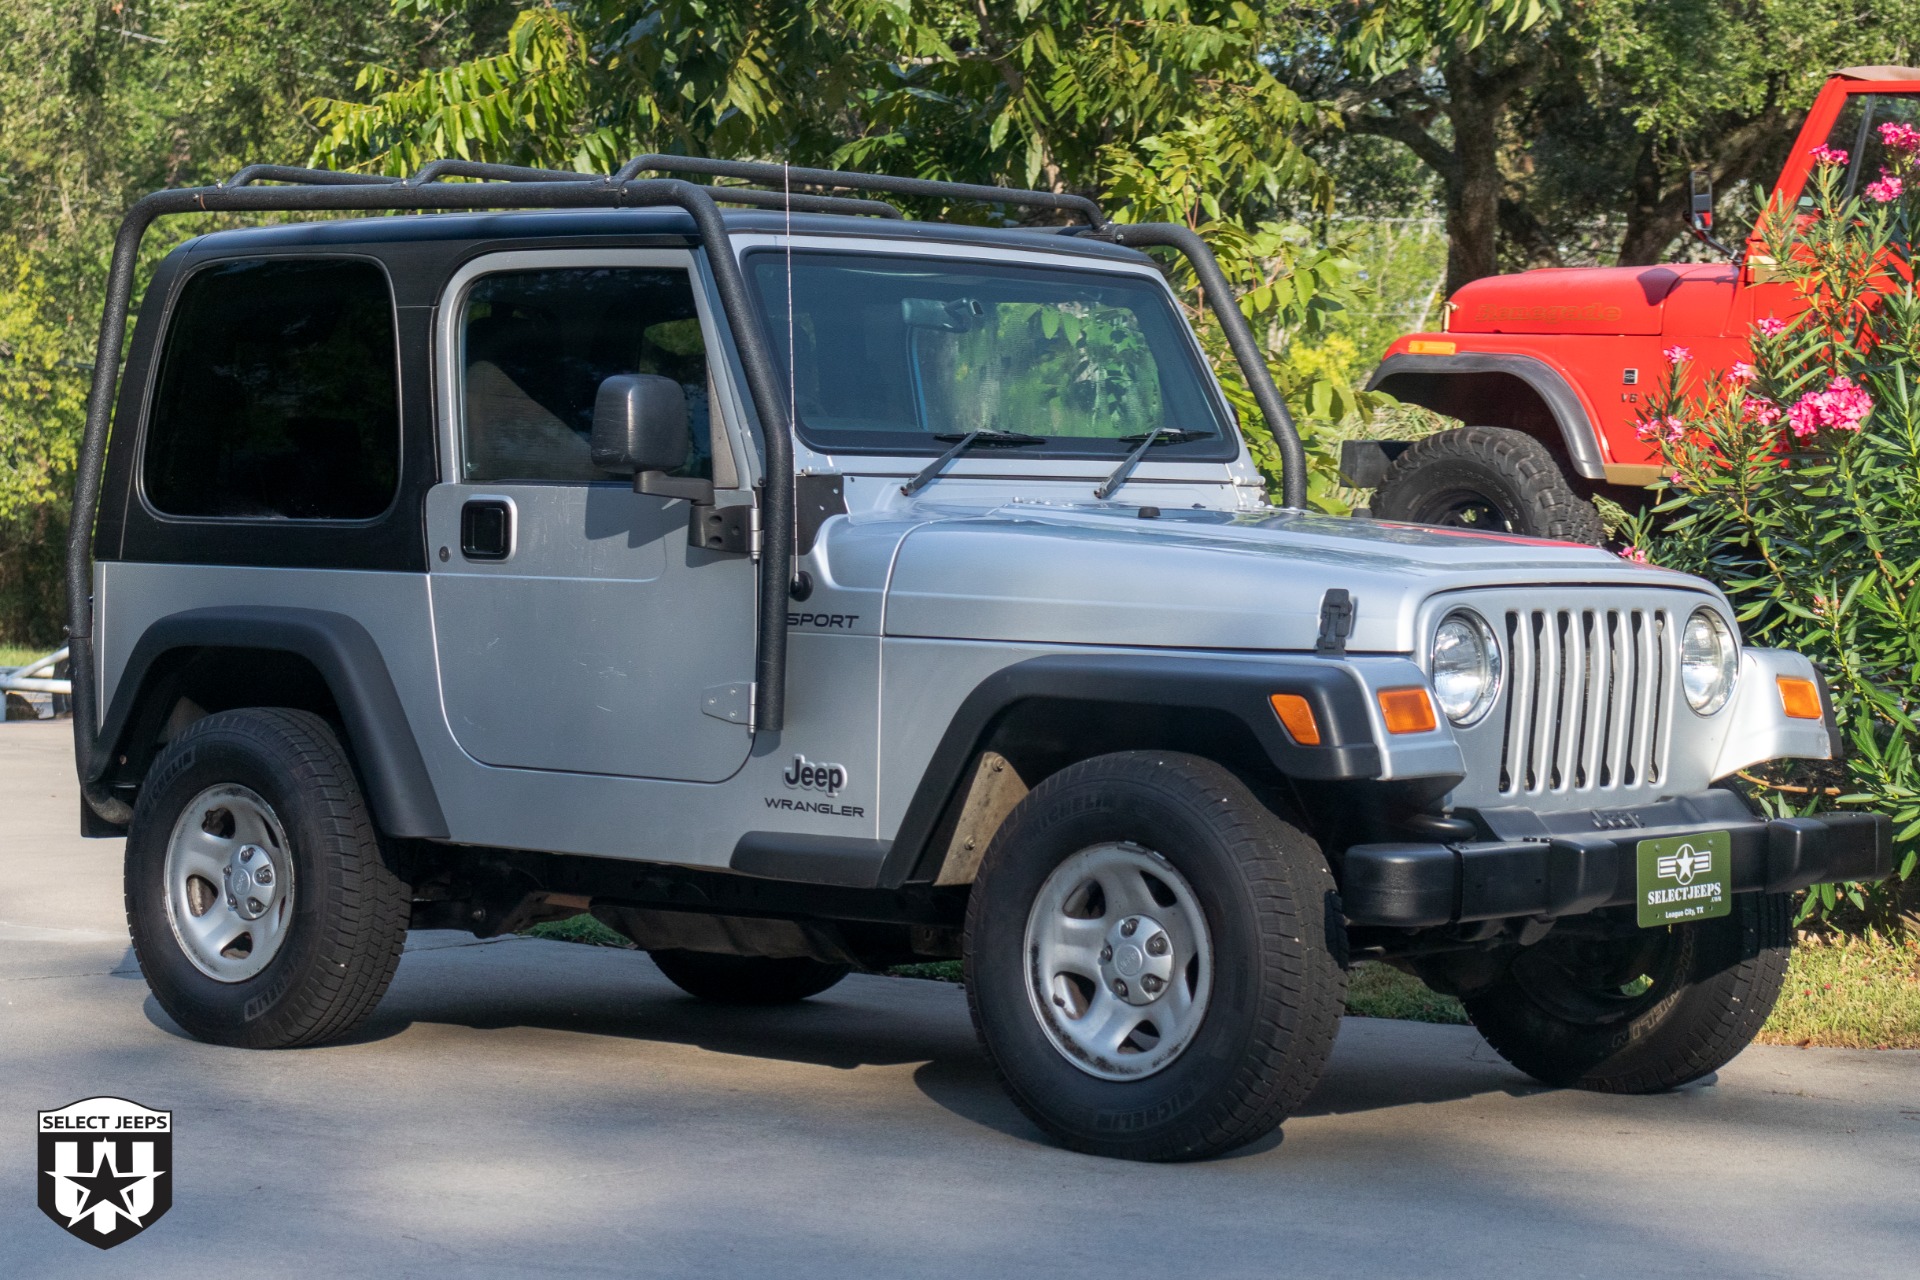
{"x":535,"y":1108}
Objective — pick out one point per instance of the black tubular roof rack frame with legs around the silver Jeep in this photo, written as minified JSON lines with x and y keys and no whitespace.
{"x":516,"y":187}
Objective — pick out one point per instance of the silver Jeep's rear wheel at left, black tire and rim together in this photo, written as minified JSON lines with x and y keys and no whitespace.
{"x":262,"y":909}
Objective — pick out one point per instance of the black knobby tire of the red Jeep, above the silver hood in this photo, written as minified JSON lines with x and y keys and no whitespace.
{"x":1487,"y":479}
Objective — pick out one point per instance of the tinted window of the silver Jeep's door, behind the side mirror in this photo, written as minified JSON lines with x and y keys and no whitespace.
{"x":540,"y":343}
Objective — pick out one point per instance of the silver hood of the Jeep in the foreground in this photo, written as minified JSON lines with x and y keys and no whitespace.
{"x":1205,"y":579}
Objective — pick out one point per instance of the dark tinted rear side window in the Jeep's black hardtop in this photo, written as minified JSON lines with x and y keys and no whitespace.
{"x":277,"y":394}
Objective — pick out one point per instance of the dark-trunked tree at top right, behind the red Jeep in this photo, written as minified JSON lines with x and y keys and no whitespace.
{"x":1539,"y":120}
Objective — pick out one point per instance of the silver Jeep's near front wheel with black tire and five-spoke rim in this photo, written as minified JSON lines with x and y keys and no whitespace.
{"x":1203,"y":1026}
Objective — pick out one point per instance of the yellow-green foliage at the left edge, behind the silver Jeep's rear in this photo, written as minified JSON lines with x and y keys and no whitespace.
{"x":101,"y":103}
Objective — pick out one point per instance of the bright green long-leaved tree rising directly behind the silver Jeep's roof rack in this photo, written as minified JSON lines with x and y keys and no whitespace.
{"x":1163,"y":108}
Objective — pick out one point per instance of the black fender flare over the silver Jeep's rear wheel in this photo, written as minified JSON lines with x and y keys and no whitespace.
{"x":347,"y":657}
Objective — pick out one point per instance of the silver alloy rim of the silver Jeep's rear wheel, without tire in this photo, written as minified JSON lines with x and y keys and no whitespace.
{"x":229,"y":884}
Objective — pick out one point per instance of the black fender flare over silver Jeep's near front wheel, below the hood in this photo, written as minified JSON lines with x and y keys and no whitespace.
{"x":1237,"y":688}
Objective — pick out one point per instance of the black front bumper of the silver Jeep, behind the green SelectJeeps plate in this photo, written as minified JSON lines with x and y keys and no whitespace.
{"x":1570,"y":865}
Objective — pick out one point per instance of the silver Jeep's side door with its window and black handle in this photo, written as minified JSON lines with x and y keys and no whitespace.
{"x":575,"y":627}
